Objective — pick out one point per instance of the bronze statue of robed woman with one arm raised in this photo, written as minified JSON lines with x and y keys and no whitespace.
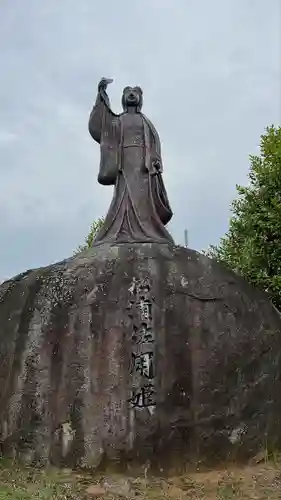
{"x":131,"y":161}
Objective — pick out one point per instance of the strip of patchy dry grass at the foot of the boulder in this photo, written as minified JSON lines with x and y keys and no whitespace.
{"x":260,"y":482}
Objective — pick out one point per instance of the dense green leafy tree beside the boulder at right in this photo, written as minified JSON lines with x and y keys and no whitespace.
{"x":252,"y":245}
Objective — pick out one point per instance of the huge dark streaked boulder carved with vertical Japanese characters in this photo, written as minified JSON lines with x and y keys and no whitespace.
{"x":137,"y":354}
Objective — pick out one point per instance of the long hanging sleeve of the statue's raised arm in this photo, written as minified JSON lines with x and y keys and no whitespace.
{"x":104,"y":127}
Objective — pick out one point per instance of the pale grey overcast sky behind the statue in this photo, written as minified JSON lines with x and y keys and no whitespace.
{"x":211,"y":75}
